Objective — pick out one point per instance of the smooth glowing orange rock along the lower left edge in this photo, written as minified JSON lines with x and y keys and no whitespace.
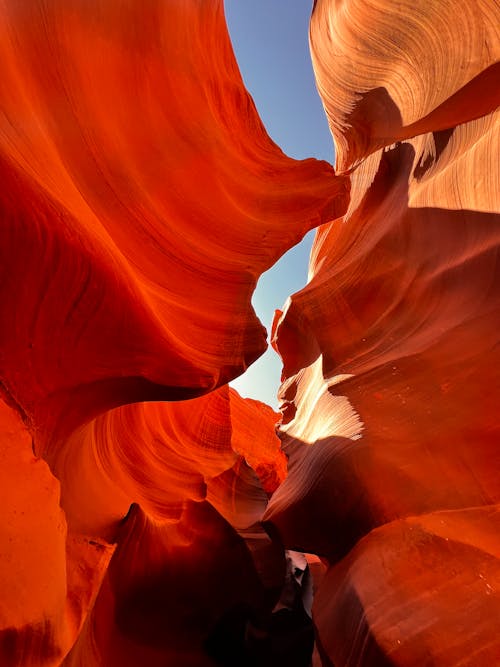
{"x":49,"y":579}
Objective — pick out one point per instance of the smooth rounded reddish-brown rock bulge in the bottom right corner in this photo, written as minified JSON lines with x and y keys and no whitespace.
{"x":409,"y":587}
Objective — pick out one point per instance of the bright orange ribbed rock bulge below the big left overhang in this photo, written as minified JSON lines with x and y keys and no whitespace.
{"x":159,"y":455}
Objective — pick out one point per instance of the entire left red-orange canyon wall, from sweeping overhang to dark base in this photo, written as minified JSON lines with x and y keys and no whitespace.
{"x":141,"y":199}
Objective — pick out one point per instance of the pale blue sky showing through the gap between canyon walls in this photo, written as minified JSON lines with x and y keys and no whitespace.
{"x":270,"y":40}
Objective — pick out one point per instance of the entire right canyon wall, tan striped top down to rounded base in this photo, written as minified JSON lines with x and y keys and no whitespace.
{"x":390,"y":353}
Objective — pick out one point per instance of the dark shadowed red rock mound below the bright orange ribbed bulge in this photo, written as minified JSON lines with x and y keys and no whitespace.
{"x":167,"y":587}
